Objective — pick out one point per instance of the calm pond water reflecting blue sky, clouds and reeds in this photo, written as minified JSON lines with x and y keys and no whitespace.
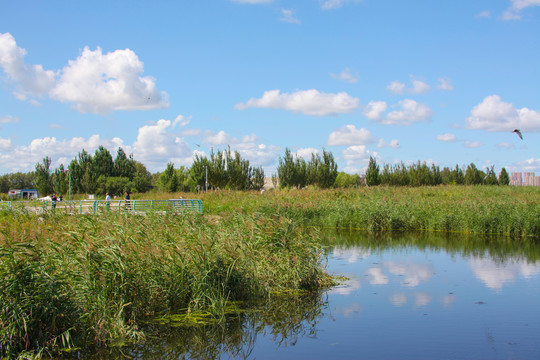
{"x":407,"y":296}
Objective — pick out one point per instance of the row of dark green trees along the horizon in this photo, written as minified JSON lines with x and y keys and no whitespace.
{"x":99,"y":173}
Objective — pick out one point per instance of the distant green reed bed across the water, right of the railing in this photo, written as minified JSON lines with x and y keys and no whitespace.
{"x":502,"y":210}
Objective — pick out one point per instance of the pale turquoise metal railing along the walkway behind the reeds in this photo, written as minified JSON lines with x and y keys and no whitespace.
{"x":101,"y":206}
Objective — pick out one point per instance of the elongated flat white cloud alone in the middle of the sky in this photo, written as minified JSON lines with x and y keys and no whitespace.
{"x":308,"y":102}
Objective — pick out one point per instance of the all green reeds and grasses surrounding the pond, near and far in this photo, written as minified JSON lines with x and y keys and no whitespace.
{"x":79,"y":281}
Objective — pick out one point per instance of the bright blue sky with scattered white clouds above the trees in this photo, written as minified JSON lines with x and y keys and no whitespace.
{"x":436,"y":81}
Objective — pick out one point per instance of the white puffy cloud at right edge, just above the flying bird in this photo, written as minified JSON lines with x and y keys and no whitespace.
{"x":493,"y":115}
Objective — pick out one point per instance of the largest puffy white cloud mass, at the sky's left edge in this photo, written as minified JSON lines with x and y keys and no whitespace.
{"x":94,"y":82}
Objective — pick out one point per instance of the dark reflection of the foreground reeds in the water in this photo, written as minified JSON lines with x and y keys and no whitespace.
{"x":285,"y":318}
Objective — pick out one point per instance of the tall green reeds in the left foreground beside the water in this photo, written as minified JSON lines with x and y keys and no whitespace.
{"x":70,"y":279}
